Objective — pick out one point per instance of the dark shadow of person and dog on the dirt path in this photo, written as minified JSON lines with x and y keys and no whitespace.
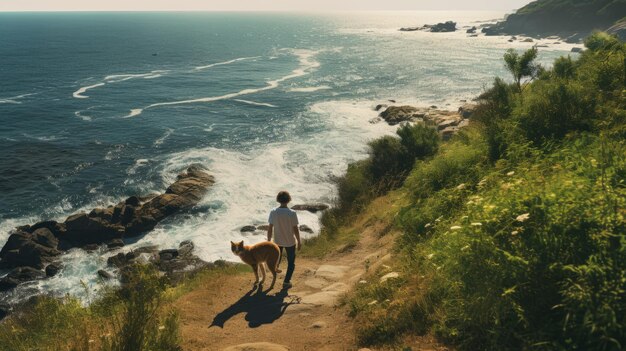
{"x":259,"y":307}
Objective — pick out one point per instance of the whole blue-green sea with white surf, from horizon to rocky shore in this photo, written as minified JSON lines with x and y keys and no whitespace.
{"x":95,"y":107}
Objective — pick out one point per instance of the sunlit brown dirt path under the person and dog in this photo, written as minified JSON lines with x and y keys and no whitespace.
{"x":226,"y":315}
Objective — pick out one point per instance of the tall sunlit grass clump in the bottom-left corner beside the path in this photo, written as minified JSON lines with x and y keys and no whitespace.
{"x":133,"y":318}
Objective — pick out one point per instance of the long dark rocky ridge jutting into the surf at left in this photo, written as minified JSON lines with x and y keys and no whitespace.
{"x":31,"y":248}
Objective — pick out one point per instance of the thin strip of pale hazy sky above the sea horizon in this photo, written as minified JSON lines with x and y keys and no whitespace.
{"x":256,"y":5}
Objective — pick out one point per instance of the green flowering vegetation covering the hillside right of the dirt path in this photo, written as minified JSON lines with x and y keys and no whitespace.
{"x":515,"y":235}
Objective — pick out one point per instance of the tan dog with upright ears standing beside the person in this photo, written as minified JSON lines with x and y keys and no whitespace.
{"x":258,"y":256}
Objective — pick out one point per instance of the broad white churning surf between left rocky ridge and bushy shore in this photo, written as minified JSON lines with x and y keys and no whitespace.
{"x":247,"y":181}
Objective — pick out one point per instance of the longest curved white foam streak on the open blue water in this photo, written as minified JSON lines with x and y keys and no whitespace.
{"x":305,"y":59}
